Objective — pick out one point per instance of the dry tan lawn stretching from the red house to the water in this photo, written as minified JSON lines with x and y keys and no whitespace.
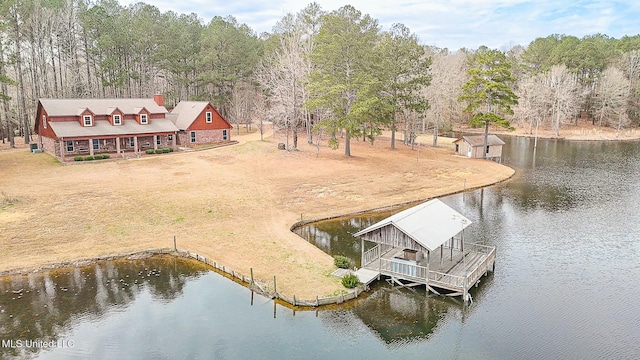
{"x":234,"y":205}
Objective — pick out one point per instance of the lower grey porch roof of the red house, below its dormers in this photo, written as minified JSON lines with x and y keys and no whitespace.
{"x":72,"y":129}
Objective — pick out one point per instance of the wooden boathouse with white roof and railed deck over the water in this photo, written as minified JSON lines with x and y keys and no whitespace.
{"x":424,"y":245}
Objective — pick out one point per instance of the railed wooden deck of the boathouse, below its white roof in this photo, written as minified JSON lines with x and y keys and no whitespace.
{"x":447,"y":271}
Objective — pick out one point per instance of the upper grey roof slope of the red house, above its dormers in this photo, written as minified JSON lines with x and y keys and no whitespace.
{"x":66,"y":107}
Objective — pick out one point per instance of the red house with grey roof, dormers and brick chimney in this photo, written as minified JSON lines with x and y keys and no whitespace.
{"x":72,"y":127}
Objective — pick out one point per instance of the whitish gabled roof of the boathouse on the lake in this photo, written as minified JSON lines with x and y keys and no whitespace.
{"x":430,"y":224}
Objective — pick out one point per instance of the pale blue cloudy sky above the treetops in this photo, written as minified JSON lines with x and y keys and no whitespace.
{"x":445,"y":23}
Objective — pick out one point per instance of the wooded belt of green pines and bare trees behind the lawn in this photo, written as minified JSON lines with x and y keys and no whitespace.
{"x":329,"y":75}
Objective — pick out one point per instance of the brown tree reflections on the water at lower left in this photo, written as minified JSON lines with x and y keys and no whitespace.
{"x":40,"y":306}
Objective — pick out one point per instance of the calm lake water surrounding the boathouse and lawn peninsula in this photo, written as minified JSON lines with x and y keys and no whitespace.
{"x":567,"y":233}
